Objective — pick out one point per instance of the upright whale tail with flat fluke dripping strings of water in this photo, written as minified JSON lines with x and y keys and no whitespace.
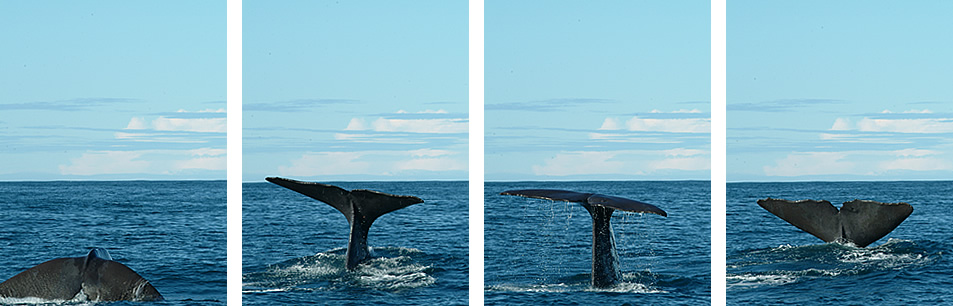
{"x":605,"y":259}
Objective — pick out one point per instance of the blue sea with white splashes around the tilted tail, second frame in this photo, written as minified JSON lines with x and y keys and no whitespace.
{"x":293,"y":248}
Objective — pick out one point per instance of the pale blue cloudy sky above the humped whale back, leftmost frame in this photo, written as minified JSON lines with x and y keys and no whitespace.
{"x":112,"y":90}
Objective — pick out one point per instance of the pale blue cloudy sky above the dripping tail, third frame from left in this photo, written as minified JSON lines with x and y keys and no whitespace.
{"x":609,"y":90}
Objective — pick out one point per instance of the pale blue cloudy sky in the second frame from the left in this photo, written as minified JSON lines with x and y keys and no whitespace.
{"x":368,"y":91}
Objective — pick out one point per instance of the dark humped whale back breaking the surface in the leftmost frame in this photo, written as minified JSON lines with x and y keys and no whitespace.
{"x":94,"y":277}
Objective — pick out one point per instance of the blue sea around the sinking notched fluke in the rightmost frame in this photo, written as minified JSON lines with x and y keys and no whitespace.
{"x":772,"y":262}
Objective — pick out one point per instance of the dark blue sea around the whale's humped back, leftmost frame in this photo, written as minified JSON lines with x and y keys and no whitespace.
{"x":170,"y":232}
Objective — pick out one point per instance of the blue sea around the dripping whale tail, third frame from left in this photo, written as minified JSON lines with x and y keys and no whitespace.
{"x":539,"y":252}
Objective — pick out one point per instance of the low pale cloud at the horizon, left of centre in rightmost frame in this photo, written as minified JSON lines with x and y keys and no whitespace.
{"x":811,"y":163}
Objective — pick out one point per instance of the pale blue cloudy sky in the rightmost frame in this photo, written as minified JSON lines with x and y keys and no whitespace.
{"x":843,"y":90}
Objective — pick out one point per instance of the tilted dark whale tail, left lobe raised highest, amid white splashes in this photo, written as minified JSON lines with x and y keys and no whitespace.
{"x":361,"y":207}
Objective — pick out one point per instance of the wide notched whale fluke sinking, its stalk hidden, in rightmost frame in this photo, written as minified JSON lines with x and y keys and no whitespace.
{"x":858,"y":222}
